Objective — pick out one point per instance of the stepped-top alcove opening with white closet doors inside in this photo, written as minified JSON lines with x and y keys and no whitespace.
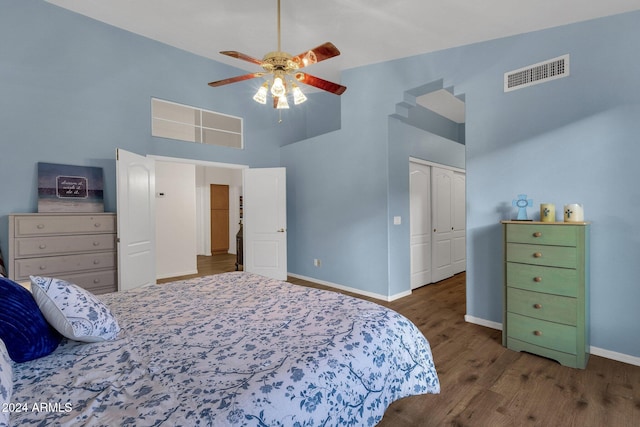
{"x":437,"y":181}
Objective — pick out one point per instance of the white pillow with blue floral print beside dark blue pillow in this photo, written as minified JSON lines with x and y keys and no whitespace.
{"x":73,"y":311}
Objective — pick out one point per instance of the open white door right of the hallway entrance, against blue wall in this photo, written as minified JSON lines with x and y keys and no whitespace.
{"x":265,"y":222}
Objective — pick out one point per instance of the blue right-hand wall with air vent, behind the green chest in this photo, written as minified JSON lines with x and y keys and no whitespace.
{"x":569,"y":140}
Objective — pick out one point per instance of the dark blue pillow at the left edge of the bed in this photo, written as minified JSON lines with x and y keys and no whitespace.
{"x":23,"y":328}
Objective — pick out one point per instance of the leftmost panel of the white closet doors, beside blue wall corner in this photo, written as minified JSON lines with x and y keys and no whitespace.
{"x":420,"y":223}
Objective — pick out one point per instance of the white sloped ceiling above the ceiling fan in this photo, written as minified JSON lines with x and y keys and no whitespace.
{"x":365,"y":31}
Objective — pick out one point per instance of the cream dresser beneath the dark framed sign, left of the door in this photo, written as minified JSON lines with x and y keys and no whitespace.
{"x":79,"y":248}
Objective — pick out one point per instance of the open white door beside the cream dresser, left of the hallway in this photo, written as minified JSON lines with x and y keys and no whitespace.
{"x":136,"y":220}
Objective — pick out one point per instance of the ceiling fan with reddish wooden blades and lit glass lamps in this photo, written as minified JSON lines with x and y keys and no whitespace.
{"x":283,"y":71}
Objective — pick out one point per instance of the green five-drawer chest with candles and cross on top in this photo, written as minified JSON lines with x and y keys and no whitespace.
{"x":546,"y":290}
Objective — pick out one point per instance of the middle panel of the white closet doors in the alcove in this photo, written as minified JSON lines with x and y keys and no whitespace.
{"x":442,"y":181}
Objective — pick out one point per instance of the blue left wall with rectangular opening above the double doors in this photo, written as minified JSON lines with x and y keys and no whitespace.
{"x":73,"y":89}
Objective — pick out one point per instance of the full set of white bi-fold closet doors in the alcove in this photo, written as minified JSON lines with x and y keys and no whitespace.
{"x":437,"y":223}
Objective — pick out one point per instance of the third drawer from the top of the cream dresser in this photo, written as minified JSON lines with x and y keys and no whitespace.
{"x":52,"y":266}
